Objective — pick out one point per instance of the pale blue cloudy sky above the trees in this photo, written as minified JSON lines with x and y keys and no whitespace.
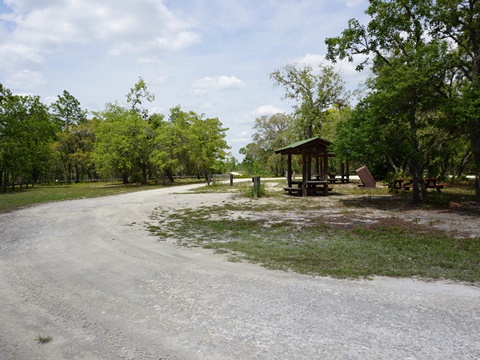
{"x":210,"y":56}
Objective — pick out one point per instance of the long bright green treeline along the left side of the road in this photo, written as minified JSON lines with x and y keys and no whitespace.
{"x":40,"y":143}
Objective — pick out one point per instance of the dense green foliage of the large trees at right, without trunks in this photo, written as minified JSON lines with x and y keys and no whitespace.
{"x":416,"y":77}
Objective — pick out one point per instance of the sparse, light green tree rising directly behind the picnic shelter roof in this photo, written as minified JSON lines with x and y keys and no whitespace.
{"x":314,"y":93}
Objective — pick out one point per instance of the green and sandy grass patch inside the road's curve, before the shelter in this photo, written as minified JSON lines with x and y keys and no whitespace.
{"x":392,"y":247}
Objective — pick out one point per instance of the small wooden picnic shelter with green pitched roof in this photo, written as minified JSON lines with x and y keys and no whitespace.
{"x":315,"y":178}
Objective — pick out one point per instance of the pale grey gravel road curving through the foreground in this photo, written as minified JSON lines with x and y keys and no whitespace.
{"x":87,"y":274}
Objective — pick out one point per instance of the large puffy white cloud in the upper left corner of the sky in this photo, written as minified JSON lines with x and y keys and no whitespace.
{"x":122,"y":26}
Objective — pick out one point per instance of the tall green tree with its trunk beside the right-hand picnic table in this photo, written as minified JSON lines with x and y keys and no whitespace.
{"x":409,"y":73}
